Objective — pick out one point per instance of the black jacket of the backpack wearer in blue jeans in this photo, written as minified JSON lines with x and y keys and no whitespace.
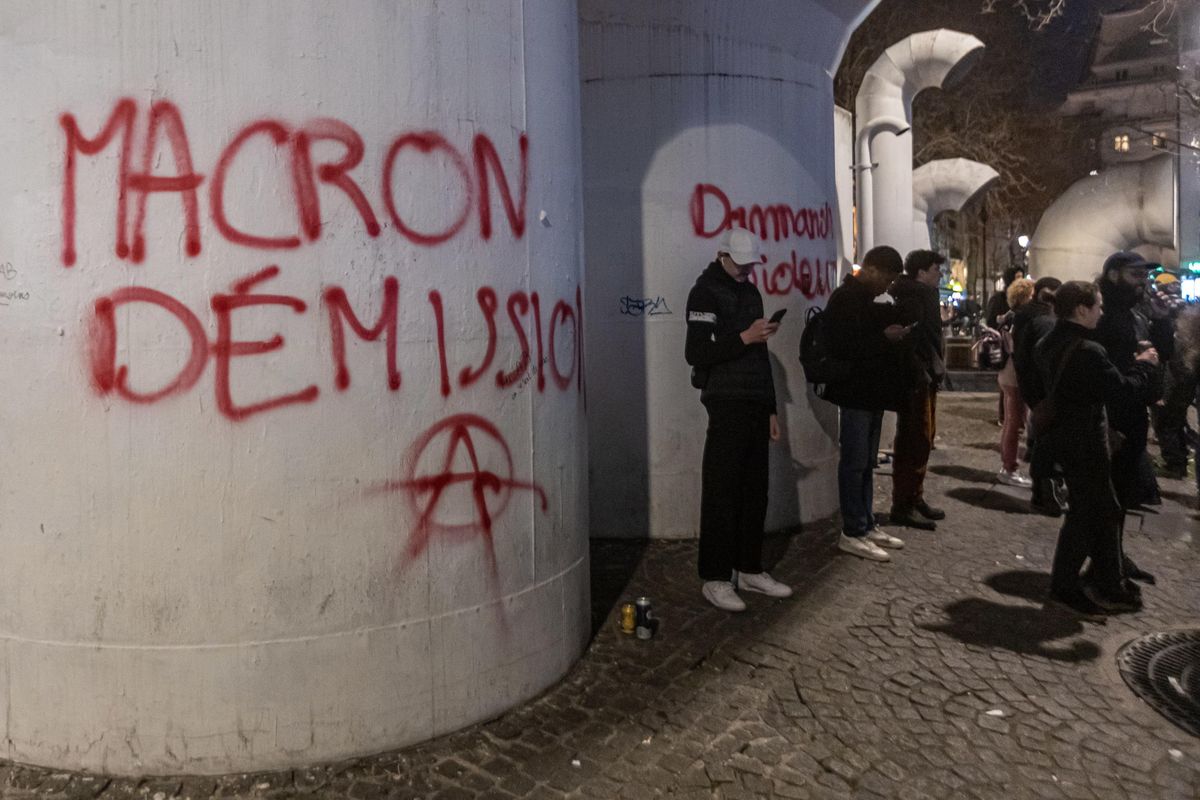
{"x":884,"y":374}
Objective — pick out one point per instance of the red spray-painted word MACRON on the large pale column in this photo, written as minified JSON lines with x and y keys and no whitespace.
{"x":479,"y":175}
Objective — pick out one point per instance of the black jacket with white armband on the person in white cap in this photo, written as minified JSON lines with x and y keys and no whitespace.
{"x":719,"y":309}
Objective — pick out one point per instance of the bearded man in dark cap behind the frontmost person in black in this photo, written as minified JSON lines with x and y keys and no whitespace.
{"x":1124,"y":333}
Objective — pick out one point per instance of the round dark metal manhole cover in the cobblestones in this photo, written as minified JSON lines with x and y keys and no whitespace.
{"x":1165,"y":671}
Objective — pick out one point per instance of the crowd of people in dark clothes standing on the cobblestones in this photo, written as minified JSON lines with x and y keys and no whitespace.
{"x":1088,"y":370}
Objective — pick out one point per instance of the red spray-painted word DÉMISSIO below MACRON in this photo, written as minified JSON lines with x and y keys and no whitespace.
{"x":545,"y":333}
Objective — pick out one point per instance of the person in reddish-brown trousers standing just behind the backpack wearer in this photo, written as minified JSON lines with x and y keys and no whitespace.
{"x":919,"y":304}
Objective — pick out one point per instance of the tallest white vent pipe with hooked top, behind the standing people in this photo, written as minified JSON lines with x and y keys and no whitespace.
{"x":931,"y":59}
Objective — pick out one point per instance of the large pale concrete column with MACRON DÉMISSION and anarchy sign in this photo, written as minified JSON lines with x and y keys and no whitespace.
{"x":237,"y":533}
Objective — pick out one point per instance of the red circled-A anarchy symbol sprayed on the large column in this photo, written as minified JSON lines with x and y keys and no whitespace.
{"x":460,"y":480}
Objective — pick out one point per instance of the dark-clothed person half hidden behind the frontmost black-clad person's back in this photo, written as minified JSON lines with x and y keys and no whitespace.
{"x":1031,"y":323}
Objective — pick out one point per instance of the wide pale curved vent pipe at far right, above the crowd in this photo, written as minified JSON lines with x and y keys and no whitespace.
{"x":1124,"y":208}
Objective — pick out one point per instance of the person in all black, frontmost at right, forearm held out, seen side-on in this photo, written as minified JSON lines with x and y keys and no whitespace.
{"x":1081,"y":381}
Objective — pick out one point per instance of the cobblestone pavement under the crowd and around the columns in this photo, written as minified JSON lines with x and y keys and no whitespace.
{"x":937,"y":676}
